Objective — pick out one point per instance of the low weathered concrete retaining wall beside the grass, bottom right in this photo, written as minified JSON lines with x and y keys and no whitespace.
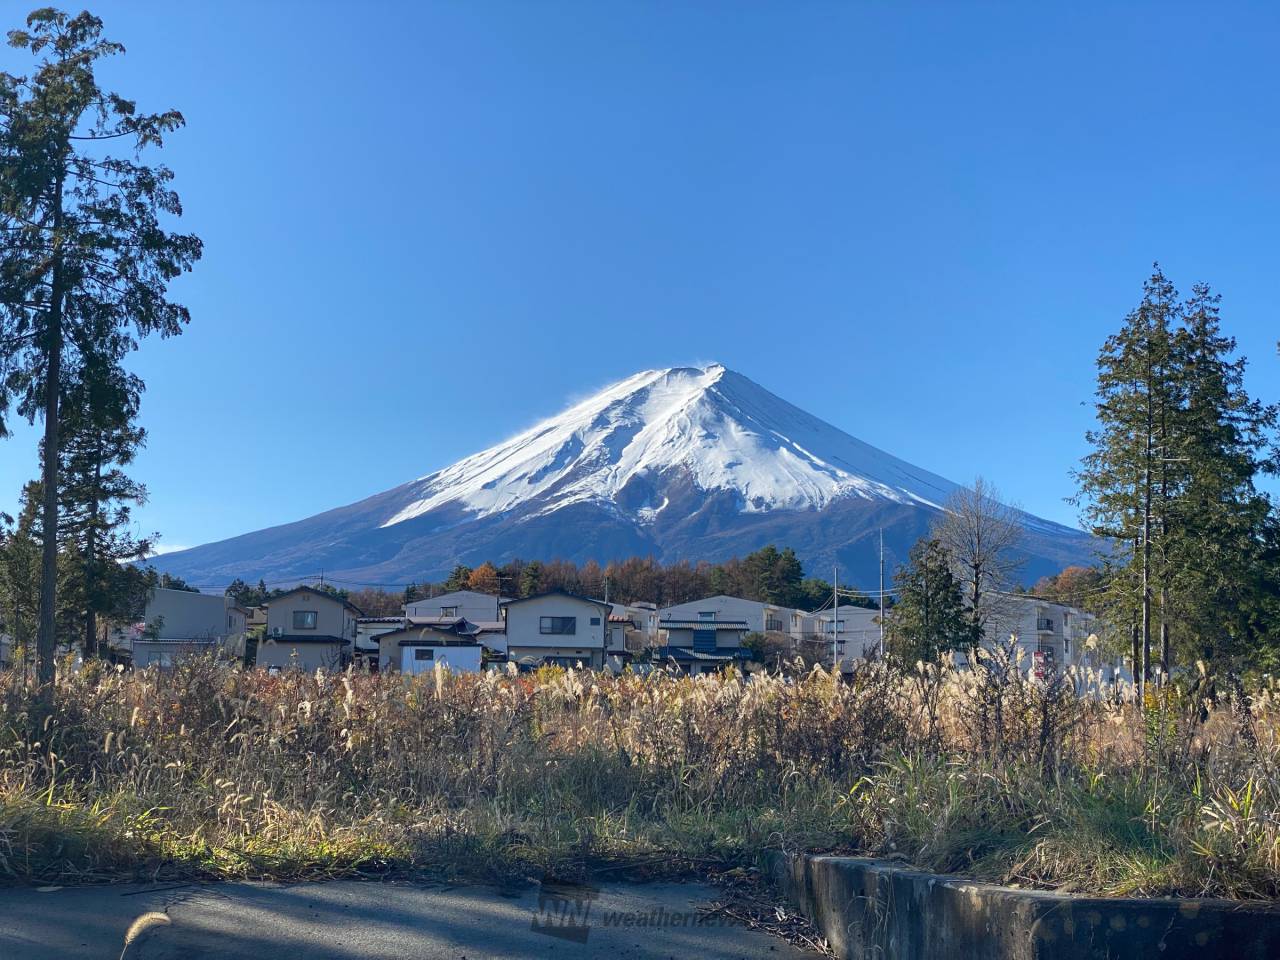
{"x":880,"y":911}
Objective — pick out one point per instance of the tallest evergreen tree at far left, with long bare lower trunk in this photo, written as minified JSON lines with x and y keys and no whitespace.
{"x":85,"y":253}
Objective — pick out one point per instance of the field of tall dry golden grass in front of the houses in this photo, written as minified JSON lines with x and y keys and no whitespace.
{"x":212,"y":771}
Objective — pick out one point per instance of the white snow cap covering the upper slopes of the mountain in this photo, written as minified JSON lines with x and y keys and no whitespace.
{"x":725,"y":431}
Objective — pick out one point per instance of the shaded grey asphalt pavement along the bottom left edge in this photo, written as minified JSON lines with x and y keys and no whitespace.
{"x":382,"y":921}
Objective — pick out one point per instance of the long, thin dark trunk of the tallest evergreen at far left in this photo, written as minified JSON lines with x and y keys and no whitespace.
{"x":47,"y":642}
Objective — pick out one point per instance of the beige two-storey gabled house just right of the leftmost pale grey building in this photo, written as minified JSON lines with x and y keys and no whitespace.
{"x":308,"y":629}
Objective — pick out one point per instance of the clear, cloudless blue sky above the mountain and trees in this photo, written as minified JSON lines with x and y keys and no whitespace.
{"x":431,"y":225}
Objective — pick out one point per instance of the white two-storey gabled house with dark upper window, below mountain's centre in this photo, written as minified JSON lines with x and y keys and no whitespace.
{"x":557,"y":628}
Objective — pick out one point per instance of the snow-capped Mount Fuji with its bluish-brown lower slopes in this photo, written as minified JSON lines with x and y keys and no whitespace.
{"x":679,"y":464}
